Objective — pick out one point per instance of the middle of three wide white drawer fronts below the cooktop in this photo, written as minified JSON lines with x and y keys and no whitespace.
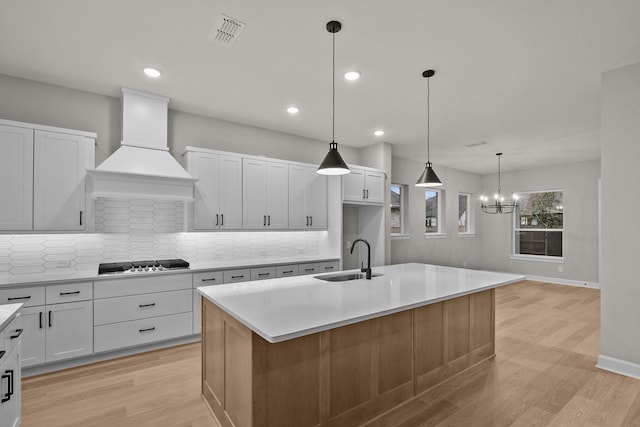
{"x":122,"y":309}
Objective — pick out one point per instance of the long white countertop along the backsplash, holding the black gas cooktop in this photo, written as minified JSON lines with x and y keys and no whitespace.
{"x":66,"y":276}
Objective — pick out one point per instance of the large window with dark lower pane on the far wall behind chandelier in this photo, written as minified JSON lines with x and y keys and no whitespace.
{"x":538,"y":224}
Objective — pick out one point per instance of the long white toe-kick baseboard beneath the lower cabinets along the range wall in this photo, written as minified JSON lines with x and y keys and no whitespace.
{"x":99,"y":357}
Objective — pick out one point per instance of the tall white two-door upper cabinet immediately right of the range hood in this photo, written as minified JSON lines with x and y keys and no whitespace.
{"x":218,"y":191}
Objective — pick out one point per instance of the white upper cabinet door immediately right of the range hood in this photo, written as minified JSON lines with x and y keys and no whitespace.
{"x":206,"y":168}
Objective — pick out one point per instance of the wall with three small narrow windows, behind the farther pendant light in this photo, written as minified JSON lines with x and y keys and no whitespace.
{"x":452,"y":250}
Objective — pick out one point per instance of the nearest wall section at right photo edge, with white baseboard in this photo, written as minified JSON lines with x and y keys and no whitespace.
{"x":620,"y":340}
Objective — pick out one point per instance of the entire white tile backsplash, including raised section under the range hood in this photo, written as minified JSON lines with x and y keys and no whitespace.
{"x":139,"y":229}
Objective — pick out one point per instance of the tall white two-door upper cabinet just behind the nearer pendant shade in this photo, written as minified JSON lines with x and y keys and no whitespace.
{"x":307,"y":198}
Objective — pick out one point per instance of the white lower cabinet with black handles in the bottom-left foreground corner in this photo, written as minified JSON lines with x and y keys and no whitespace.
{"x":10,"y":374}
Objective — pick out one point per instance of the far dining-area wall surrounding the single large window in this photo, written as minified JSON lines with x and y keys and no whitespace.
{"x":579,"y":183}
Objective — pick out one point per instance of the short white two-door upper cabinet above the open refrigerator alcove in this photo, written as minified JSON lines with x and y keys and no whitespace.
{"x":363,"y":186}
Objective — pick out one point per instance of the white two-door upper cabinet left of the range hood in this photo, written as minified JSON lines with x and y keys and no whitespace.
{"x":42,"y":177}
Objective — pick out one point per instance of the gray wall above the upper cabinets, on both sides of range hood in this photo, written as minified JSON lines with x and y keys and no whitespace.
{"x":33,"y":102}
